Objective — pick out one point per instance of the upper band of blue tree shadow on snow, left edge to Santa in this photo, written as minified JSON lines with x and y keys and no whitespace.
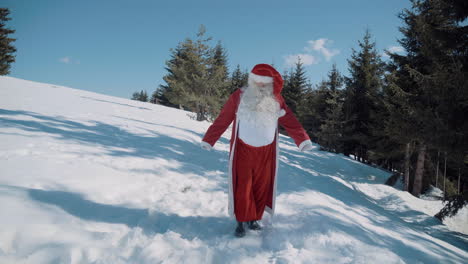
{"x":118,"y":142}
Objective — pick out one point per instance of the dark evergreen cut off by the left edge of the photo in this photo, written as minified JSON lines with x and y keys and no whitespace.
{"x":6,"y":47}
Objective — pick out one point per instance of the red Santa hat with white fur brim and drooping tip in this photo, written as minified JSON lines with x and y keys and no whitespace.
{"x":267,"y":74}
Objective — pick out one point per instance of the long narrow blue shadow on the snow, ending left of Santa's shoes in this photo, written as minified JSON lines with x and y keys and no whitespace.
{"x":202,"y":227}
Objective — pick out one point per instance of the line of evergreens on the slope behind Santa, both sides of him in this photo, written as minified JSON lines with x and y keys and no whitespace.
{"x":406,"y":114}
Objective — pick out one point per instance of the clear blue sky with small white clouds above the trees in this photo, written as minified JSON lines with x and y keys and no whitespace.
{"x":116,"y":47}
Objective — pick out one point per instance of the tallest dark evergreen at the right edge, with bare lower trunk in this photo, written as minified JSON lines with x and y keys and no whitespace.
{"x":429,"y":83}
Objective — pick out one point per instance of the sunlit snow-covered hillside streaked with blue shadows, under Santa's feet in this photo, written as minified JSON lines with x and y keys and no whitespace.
{"x":90,"y":178}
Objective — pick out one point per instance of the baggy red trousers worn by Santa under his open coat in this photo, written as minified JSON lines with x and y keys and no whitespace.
{"x":253,"y":180}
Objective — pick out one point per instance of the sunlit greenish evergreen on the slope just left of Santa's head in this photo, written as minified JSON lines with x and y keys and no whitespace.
{"x":193,"y":79}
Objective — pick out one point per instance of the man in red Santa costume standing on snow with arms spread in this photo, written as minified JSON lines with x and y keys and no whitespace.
{"x":255,"y":111}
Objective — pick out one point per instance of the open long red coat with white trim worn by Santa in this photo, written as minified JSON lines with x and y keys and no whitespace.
{"x":227,"y":116}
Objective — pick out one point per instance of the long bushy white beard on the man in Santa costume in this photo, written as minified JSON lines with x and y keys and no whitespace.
{"x":258,"y":106}
